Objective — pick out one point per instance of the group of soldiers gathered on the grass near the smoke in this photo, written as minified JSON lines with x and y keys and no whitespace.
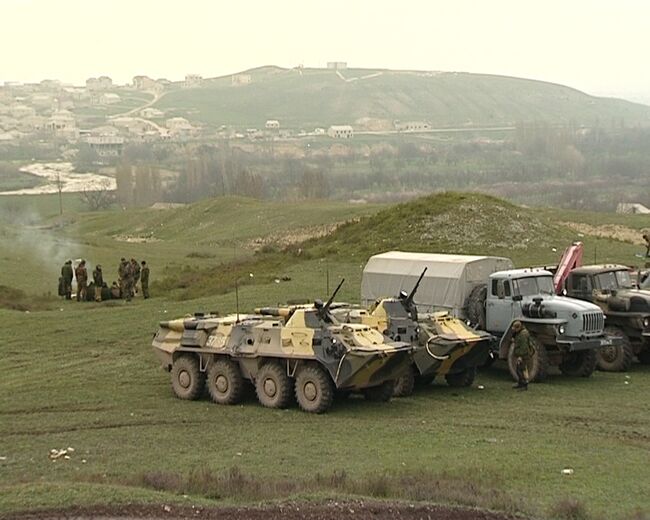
{"x":129,"y":273}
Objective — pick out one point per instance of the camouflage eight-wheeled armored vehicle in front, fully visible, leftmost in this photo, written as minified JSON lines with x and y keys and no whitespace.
{"x":301,"y":352}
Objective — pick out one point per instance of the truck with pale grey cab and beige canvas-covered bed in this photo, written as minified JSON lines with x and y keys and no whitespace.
{"x":565,"y":332}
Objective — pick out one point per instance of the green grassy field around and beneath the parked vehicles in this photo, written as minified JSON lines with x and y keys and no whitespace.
{"x":84,"y":376}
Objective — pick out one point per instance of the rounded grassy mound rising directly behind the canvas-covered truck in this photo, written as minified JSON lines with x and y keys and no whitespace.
{"x":465,"y":223}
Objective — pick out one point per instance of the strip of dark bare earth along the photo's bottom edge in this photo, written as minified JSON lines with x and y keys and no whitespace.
{"x":357,"y":510}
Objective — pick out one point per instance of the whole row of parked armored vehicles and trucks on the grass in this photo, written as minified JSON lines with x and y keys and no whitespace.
{"x":457,"y":316}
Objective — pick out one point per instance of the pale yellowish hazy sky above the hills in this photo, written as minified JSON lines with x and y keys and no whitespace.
{"x":602,"y":47}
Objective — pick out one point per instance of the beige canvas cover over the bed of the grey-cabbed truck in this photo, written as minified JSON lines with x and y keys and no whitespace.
{"x":447,"y":283}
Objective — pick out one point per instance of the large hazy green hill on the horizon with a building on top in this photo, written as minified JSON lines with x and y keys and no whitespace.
{"x":310,"y":98}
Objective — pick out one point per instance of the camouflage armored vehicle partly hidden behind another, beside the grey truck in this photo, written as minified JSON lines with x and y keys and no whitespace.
{"x":444,"y":345}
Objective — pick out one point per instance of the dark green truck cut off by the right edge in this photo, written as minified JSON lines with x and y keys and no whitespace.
{"x":627,"y":311}
